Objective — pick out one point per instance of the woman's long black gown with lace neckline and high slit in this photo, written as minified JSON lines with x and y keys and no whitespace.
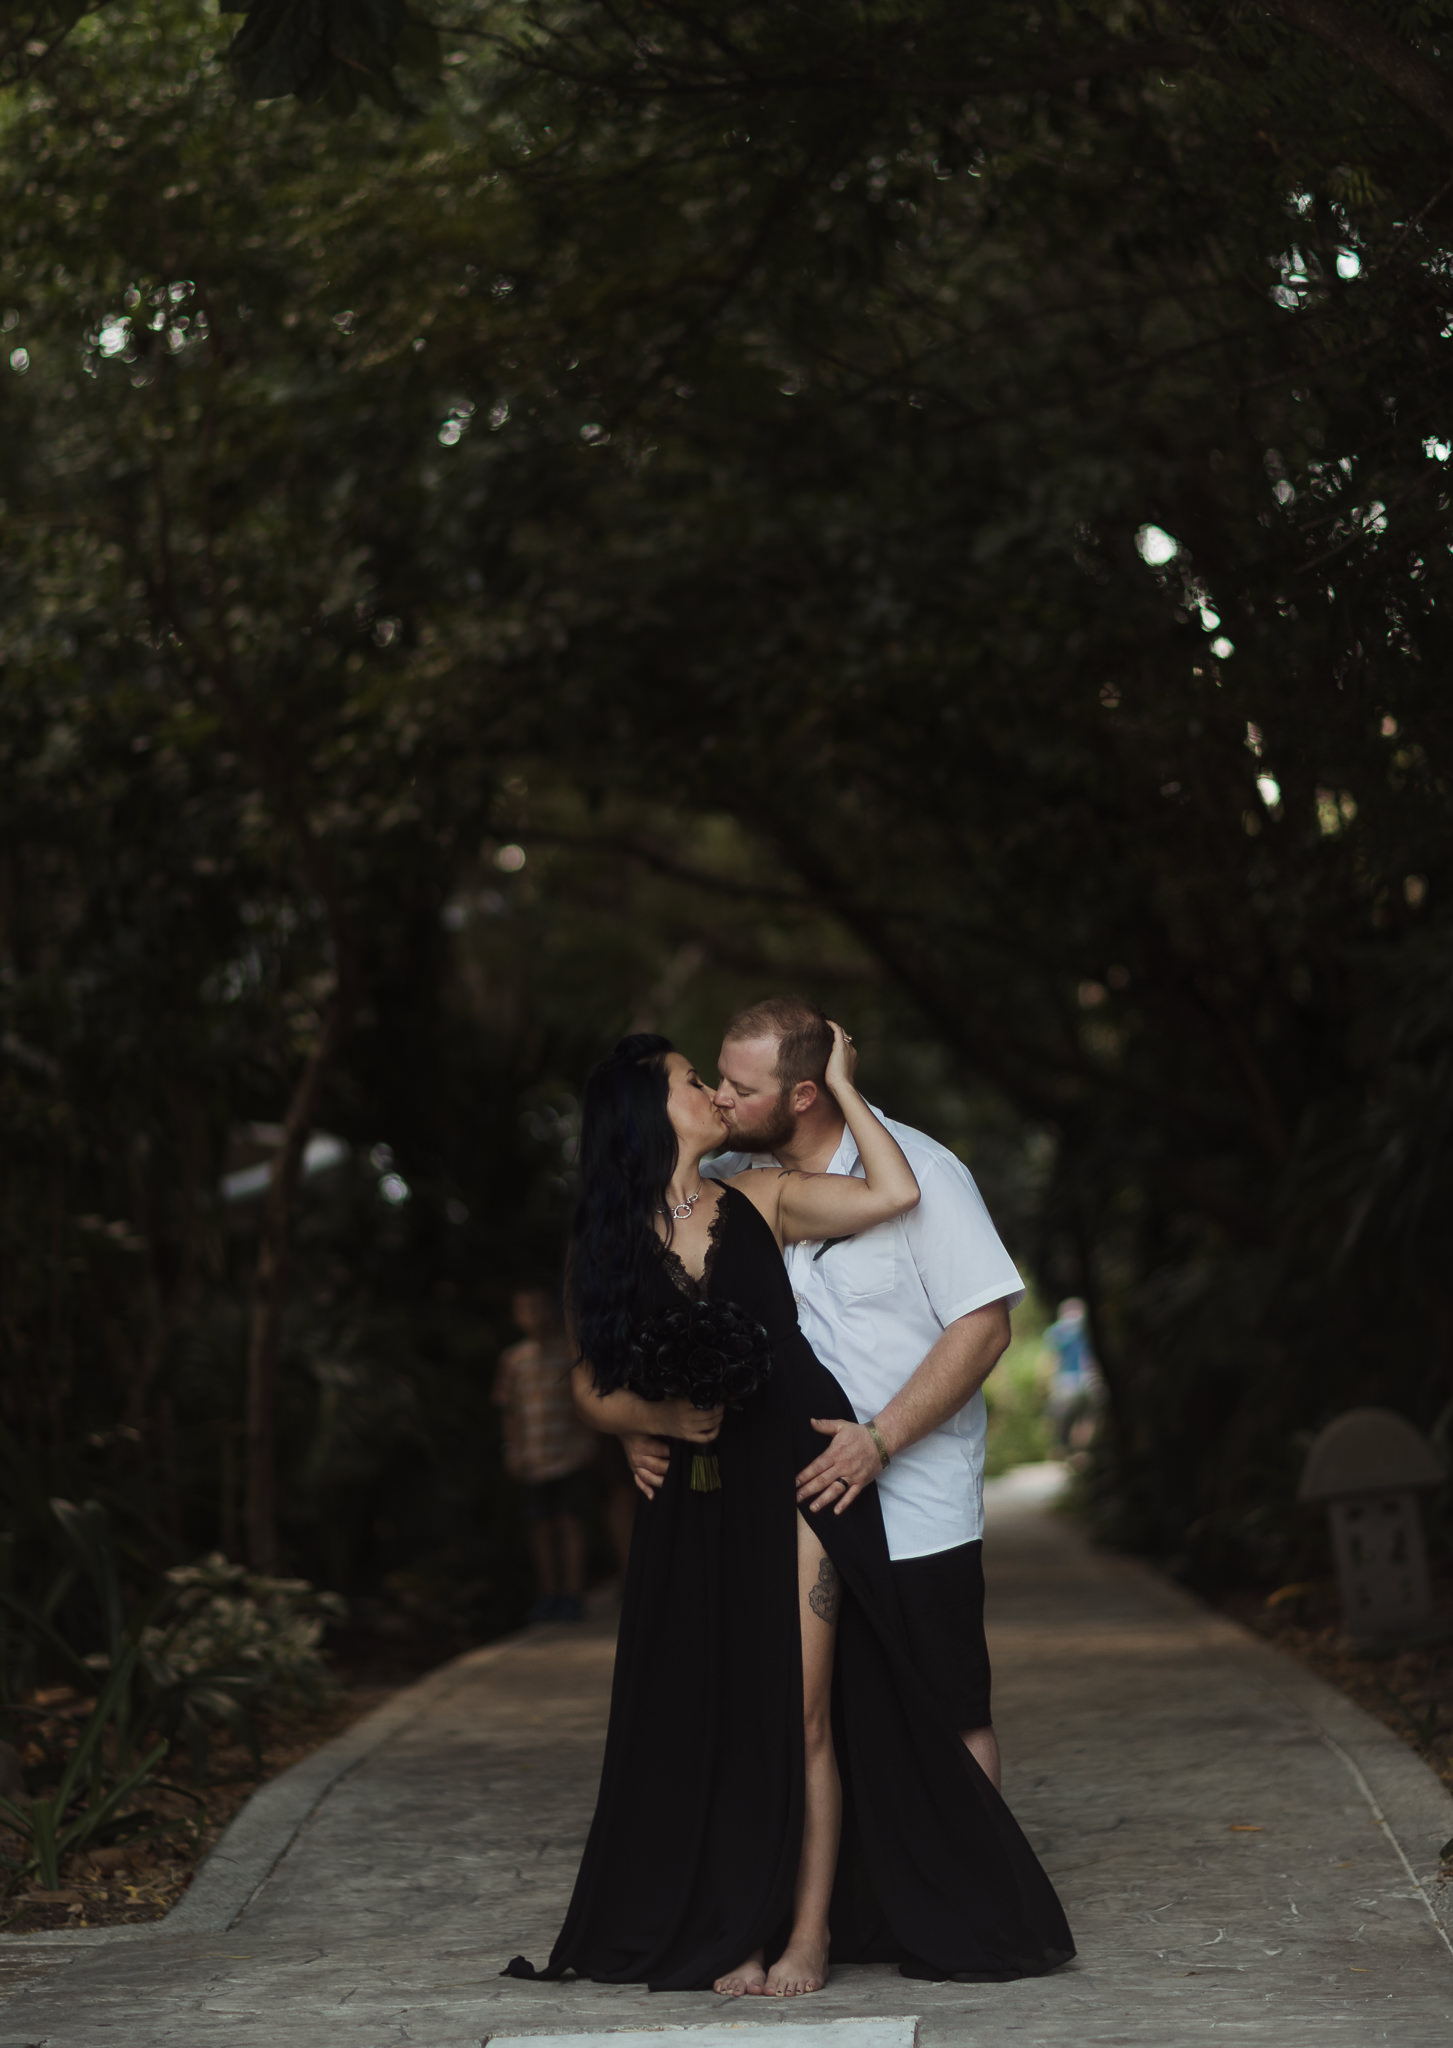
{"x":694,"y":1848}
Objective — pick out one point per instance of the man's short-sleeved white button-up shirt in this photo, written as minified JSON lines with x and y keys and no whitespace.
{"x":874,"y":1306}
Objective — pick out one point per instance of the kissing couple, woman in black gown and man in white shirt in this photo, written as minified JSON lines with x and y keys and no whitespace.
{"x":800,"y":1760}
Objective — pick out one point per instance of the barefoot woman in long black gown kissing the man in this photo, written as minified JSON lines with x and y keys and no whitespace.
{"x":776,"y":1775}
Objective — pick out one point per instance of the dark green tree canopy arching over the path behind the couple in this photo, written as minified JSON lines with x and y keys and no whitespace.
{"x":933,"y":505}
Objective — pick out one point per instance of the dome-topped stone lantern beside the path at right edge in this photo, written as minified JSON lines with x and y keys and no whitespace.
{"x":1368,"y":1467}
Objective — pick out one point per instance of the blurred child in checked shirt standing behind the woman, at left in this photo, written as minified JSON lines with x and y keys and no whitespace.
{"x":548,"y":1451}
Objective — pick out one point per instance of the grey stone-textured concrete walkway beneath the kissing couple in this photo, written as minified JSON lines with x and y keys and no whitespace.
{"x":1243,"y":1854}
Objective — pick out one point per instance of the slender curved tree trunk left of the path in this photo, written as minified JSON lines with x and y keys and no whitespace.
{"x":269,"y":1289}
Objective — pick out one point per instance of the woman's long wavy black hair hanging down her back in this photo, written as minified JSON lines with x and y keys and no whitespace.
{"x":628,"y":1154}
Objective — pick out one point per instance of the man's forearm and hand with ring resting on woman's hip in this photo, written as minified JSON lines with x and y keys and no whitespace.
{"x":948,"y":1377}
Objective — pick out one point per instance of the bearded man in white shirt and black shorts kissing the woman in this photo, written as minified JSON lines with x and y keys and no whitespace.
{"x":911,"y":1318}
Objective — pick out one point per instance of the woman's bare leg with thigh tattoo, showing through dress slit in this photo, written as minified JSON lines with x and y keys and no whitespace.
{"x":804,"y":1963}
